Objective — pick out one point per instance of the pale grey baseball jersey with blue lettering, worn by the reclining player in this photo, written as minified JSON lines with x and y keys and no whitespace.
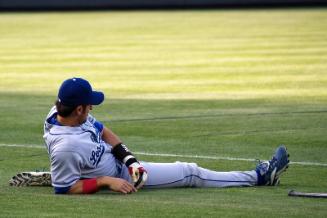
{"x":77,"y":152}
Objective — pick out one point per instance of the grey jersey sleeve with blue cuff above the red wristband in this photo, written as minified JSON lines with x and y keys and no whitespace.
{"x":65,"y":170}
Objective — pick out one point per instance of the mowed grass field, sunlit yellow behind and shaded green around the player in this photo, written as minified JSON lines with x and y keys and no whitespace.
{"x":231,"y":84}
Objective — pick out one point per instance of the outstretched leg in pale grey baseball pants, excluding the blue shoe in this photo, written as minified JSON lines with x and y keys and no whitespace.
{"x":165,"y":175}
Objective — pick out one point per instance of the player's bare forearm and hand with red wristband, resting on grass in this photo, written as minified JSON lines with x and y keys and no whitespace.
{"x":89,"y":186}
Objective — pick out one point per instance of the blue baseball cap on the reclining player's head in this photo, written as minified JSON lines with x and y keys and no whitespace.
{"x":78,"y":91}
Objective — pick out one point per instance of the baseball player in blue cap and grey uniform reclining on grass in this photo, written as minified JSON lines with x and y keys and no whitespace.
{"x":87,"y":156}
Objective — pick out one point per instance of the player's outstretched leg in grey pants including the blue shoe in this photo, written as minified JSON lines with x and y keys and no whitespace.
{"x":161,"y":175}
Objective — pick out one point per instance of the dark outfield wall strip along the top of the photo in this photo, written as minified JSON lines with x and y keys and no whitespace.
{"x":107,"y":4}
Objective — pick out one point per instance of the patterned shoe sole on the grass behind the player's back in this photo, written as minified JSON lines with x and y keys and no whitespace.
{"x":31,"y":179}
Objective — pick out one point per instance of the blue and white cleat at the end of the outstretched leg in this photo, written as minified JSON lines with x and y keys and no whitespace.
{"x":269,"y":171}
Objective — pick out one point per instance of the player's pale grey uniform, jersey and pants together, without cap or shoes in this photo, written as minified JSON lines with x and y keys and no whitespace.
{"x":79,"y":152}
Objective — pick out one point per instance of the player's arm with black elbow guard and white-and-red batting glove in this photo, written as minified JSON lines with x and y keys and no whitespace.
{"x":121,"y":152}
